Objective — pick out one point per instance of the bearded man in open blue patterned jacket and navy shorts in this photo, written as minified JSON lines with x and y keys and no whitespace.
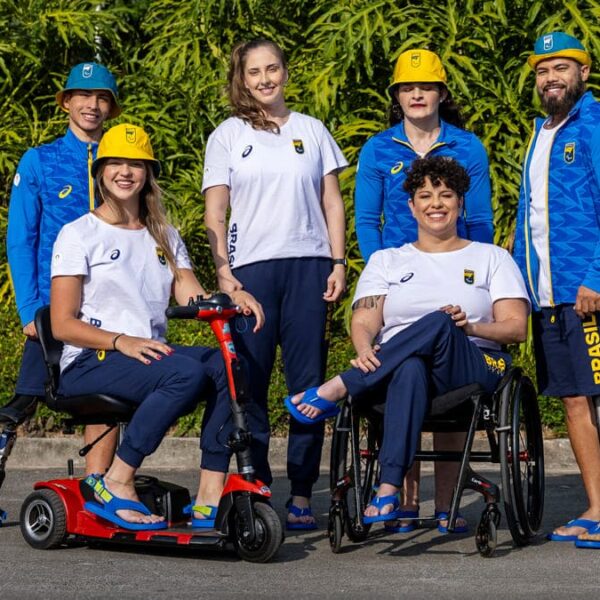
{"x":557,"y":247}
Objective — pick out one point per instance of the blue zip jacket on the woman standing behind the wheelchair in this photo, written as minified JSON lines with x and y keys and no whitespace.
{"x":381,"y":173}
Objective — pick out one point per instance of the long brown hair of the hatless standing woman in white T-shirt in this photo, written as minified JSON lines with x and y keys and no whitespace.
{"x":243,"y":104}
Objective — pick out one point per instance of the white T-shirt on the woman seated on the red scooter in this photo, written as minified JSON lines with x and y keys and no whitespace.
{"x":126,"y":278}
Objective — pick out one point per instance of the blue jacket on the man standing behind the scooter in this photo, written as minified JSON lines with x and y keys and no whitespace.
{"x":53,"y":186}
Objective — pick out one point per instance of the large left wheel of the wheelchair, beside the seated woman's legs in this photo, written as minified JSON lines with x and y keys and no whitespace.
{"x":353,"y":470}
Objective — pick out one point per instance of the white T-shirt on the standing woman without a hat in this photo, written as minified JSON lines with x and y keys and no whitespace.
{"x":275,"y":183}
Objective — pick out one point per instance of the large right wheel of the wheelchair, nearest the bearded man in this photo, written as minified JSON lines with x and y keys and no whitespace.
{"x":521,"y":448}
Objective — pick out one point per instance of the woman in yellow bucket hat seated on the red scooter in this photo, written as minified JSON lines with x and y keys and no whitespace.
{"x":113,"y":272}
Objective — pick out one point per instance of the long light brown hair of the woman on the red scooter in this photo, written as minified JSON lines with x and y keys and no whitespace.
{"x":152,"y":212}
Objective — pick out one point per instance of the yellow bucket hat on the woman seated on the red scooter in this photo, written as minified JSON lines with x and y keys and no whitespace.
{"x":126,"y":141}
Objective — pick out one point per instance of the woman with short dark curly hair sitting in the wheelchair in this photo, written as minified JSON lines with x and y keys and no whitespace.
{"x":428,"y":317}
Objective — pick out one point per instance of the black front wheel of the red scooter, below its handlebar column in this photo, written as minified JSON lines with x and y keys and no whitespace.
{"x":268,"y":538}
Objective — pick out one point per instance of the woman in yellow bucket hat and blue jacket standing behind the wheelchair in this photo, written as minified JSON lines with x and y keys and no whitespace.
{"x":424,"y":121}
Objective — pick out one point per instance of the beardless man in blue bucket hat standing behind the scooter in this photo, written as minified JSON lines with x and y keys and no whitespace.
{"x":53,"y":186}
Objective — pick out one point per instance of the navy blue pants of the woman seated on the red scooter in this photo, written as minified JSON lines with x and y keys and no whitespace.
{"x":165,"y":390}
